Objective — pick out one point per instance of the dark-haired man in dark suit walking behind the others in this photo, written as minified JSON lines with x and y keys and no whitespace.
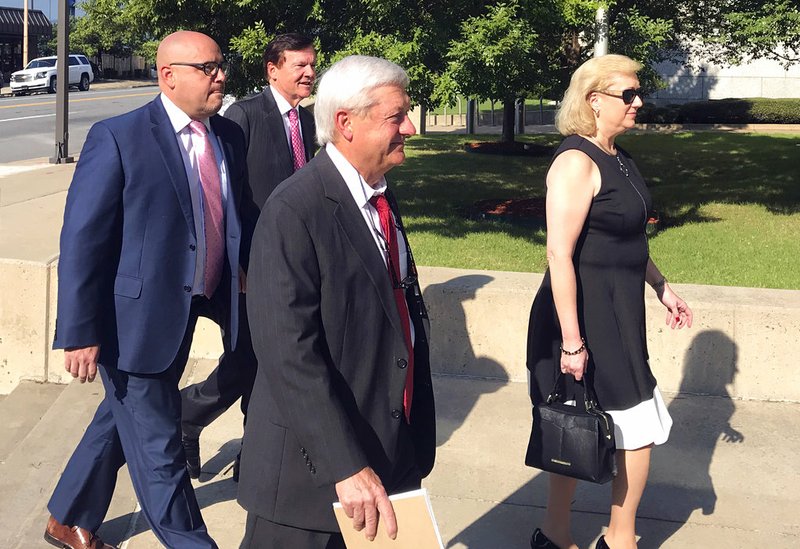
{"x":268,"y":121}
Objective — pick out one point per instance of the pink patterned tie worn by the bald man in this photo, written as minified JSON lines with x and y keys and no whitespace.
{"x":212,"y":208}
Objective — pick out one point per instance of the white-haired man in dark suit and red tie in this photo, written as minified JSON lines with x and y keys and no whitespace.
{"x":342,"y":407}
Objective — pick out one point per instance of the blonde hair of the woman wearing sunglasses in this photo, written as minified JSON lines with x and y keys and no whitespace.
{"x":575,"y":115}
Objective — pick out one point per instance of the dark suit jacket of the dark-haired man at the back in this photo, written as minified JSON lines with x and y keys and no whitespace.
{"x":269,"y":155}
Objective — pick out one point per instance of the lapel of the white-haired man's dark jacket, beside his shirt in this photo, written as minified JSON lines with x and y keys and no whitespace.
{"x":352,"y":224}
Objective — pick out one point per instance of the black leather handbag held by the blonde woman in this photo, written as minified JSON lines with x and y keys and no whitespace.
{"x":574,"y":441}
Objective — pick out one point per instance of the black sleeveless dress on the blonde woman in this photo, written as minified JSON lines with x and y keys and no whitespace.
{"x":610,"y":260}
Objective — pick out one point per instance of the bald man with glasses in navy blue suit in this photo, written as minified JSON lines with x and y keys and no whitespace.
{"x":156,"y":233}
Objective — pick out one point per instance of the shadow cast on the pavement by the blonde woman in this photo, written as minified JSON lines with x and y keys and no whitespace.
{"x":680,"y":479}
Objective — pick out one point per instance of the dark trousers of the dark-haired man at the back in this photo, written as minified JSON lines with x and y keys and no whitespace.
{"x":232,"y":379}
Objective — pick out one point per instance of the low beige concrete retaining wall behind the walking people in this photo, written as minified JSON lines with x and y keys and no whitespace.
{"x":744,"y":342}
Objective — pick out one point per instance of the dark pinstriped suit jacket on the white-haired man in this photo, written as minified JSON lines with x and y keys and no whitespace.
{"x":328,"y":396}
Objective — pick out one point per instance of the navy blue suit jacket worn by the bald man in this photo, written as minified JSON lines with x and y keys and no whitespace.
{"x":128,"y":243}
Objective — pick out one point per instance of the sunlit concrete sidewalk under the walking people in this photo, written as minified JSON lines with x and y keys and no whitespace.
{"x":725,"y":479}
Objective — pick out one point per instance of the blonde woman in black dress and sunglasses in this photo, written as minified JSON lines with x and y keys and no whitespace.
{"x":588,"y":316}
